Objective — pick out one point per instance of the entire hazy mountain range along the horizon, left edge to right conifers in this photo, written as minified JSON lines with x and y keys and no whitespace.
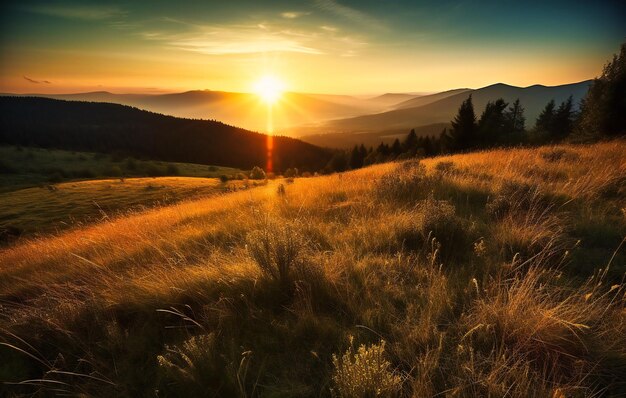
{"x":338,"y":121}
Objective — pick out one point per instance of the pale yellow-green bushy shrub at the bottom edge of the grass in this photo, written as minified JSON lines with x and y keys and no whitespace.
{"x":365,"y":373}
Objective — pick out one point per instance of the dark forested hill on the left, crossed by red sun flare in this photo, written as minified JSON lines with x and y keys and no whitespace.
{"x":105,"y":127}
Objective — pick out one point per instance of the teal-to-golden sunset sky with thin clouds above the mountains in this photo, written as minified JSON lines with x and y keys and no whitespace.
{"x":318,"y":46}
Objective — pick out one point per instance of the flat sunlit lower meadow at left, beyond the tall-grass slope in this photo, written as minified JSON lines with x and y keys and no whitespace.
{"x":38,"y":211}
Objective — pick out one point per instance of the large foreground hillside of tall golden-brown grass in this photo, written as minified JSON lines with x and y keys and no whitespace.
{"x":496,"y":273}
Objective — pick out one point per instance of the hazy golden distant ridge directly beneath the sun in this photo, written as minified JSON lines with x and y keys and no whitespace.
{"x":240,"y":109}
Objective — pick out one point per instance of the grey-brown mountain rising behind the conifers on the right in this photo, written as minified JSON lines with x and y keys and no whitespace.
{"x":442,"y":110}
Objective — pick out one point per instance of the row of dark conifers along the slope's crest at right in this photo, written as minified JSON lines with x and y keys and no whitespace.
{"x":601,"y":114}
